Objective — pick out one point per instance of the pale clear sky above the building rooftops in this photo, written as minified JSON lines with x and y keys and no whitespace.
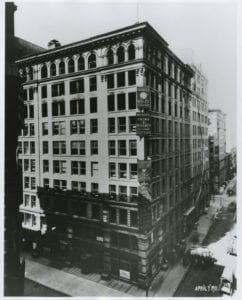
{"x":208,"y":28}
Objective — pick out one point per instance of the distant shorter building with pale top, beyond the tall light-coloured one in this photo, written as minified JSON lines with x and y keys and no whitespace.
{"x":217,"y":149}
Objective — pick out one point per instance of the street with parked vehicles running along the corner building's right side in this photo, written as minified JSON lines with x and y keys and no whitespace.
{"x":204,"y":282}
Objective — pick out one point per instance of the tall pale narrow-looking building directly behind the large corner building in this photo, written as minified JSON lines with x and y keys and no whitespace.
{"x":199,"y":141}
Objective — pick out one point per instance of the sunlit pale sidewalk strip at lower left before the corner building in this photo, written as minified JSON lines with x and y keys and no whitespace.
{"x":66,"y":283}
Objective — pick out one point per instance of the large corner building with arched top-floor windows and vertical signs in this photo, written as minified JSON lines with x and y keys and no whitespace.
{"x":106,"y":151}
